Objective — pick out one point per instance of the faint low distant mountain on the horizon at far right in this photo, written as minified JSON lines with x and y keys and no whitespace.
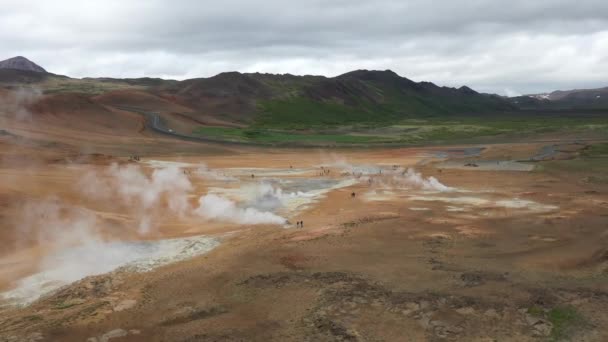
{"x":564,"y":99}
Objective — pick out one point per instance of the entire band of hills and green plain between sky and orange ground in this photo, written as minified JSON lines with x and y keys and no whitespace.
{"x":358,"y":107}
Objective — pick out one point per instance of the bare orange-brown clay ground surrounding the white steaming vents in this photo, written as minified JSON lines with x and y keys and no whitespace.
{"x":498,"y":255}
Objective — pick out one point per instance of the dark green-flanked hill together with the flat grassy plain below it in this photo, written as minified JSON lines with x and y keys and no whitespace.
{"x":366,"y":107}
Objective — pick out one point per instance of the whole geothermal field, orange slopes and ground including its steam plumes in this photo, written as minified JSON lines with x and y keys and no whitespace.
{"x":117,"y":228}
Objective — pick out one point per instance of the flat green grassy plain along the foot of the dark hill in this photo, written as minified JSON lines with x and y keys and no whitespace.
{"x":424,"y":130}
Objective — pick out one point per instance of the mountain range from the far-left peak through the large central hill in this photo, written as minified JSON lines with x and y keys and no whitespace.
{"x":279,"y":100}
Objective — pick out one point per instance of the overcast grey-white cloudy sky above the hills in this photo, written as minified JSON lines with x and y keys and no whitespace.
{"x":507,"y":47}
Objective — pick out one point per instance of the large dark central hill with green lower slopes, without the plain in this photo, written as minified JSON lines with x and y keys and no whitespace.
{"x":361,"y":96}
